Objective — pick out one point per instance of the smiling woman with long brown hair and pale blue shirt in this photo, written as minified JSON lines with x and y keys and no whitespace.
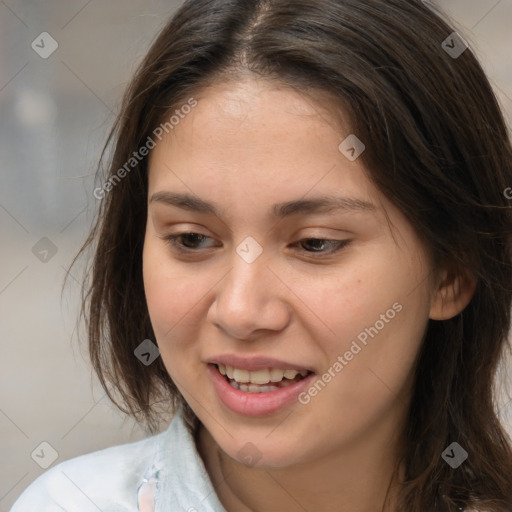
{"x":303,"y":245}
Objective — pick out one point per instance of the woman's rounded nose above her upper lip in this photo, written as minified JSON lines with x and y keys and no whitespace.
{"x":250,"y":300}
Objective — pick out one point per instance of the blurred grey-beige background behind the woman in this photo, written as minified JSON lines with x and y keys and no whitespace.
{"x":63,"y":67}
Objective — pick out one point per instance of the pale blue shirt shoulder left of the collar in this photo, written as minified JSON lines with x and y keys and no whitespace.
{"x":103,"y":480}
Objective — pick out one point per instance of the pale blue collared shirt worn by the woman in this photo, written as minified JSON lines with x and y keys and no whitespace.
{"x":163,"y":473}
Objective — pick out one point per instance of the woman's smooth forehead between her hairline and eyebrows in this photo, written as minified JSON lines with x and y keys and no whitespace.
{"x":256,"y":134}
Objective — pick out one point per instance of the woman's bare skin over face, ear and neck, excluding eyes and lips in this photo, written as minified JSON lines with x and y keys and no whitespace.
{"x":245,"y":146}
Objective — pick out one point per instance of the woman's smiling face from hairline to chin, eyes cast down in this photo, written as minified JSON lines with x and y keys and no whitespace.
{"x":252,"y":295}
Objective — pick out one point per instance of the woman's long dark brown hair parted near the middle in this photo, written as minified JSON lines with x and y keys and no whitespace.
{"x":436,"y":145}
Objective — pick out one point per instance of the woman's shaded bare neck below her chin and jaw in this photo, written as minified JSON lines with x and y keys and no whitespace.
{"x":355,"y":479}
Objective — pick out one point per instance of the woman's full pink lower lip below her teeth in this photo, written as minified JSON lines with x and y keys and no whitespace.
{"x":256,"y":404}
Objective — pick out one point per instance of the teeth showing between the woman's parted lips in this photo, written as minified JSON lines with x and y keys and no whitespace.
{"x":260,"y":381}
